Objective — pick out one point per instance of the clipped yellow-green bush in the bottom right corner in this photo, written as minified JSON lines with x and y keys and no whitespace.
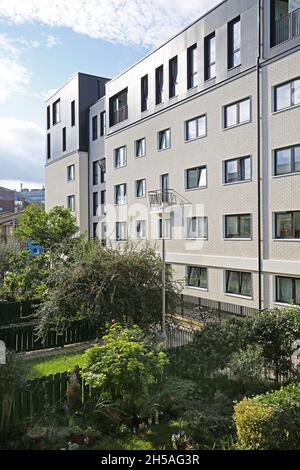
{"x":270,"y":421}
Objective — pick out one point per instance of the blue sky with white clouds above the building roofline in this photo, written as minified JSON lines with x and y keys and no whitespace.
{"x":45,"y":42}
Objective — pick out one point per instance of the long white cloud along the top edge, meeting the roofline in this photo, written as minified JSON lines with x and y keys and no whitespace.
{"x":126,"y":22}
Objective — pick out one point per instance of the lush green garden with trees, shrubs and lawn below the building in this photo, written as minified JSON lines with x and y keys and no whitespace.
{"x":233,"y":386}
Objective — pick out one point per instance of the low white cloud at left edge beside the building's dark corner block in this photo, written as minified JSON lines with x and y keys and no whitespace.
{"x":21,"y":151}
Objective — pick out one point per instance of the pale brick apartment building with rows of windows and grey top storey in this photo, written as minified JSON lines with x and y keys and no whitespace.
{"x":211,"y":120}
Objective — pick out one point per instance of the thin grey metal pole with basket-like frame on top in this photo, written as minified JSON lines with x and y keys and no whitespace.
{"x":160,"y":200}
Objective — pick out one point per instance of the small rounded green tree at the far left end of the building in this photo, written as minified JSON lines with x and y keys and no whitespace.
{"x":46,"y":229}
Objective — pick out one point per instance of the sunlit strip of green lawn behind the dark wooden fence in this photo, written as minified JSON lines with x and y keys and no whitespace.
{"x":54,"y":364}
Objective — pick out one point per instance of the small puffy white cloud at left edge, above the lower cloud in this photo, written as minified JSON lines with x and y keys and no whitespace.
{"x":14,"y":77}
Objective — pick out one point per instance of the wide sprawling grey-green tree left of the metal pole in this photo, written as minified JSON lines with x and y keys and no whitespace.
{"x":100,"y":283}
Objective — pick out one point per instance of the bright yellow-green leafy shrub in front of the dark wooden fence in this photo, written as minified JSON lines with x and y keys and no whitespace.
{"x":123,"y":368}
